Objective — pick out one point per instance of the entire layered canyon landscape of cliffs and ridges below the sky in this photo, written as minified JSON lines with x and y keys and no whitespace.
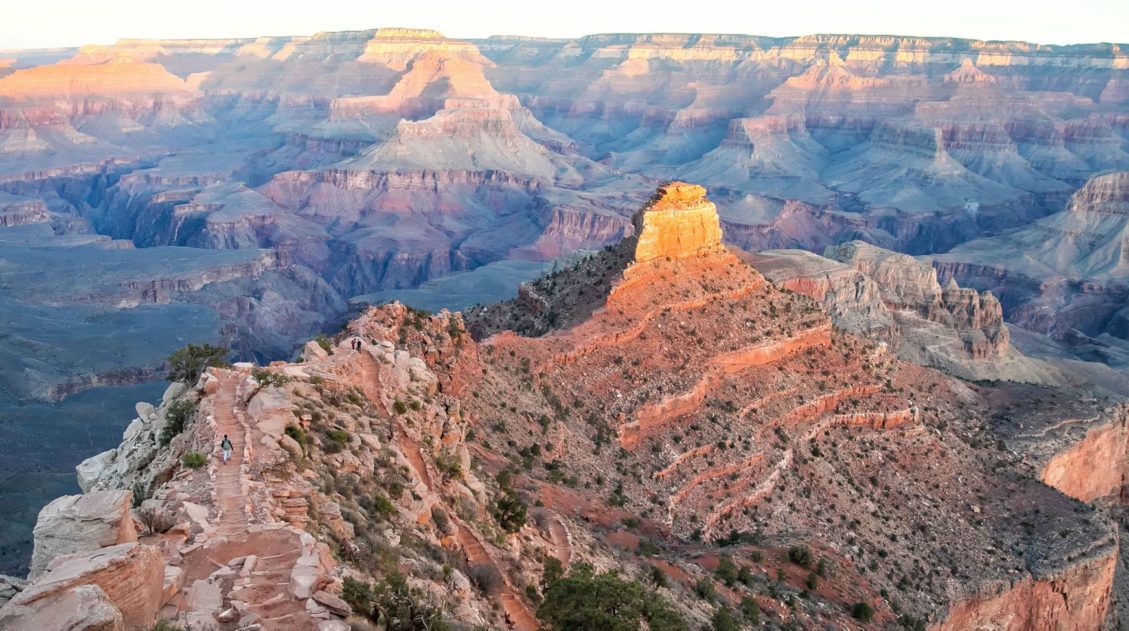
{"x":895,"y":332}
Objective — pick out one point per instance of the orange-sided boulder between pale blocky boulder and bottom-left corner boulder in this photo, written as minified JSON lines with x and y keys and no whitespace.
{"x":130,"y":575}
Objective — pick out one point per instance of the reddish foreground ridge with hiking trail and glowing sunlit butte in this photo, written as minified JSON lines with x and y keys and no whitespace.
{"x":679,"y":415}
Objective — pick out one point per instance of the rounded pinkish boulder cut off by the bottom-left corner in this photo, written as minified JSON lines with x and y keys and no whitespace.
{"x":84,"y":608}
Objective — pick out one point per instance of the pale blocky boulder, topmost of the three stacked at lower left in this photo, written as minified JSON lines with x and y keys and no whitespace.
{"x":80,"y":524}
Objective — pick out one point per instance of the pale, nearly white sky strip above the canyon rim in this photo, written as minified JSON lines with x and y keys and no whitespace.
{"x":68,"y":23}
